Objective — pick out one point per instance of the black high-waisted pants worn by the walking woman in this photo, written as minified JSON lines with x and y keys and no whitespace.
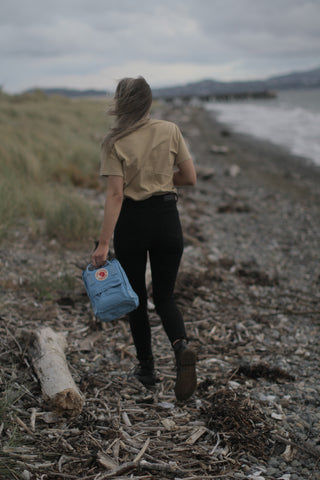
{"x":151,"y":226}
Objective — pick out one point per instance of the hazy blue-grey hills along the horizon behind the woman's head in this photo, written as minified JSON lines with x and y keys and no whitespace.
{"x":306,"y":79}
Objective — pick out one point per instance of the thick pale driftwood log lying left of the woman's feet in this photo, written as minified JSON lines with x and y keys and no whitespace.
{"x":50,"y":364}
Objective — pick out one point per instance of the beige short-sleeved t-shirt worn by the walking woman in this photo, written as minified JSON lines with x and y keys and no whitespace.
{"x":146,"y":159}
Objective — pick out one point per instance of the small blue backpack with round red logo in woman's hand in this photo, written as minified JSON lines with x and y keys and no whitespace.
{"x":109,"y":290}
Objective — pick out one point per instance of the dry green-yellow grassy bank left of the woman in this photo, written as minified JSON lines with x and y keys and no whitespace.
{"x":49,"y":148}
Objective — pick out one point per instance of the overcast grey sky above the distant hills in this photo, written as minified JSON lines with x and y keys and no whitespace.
{"x":93,"y":43}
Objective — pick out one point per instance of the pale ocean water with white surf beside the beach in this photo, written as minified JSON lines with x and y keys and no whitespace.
{"x":291,"y":120}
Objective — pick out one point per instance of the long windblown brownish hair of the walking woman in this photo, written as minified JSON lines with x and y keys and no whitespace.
{"x":131,"y":105}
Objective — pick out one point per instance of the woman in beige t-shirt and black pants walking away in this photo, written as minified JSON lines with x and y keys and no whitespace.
{"x":144,"y":161}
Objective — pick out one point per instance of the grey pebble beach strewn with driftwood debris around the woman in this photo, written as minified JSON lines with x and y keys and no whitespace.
{"x":248,"y":289}
